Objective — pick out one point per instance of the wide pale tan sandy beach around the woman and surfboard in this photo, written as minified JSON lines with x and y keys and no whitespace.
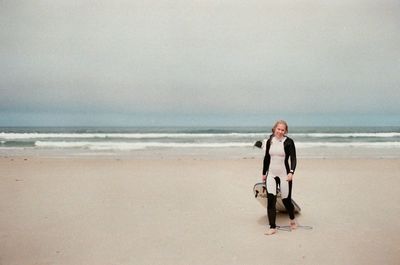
{"x":193,"y":211}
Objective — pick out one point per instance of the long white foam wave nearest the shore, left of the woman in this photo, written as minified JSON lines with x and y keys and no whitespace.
{"x":132,"y":146}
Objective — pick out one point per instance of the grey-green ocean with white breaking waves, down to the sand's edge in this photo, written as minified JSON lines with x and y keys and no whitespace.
{"x":313,"y":142}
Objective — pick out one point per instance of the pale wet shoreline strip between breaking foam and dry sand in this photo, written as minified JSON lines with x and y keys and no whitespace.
{"x":208,"y":153}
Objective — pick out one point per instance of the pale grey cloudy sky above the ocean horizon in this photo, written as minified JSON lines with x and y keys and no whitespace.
{"x":199,"y":62}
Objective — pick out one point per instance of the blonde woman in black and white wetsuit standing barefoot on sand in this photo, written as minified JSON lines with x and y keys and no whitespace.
{"x":279,"y":149}
